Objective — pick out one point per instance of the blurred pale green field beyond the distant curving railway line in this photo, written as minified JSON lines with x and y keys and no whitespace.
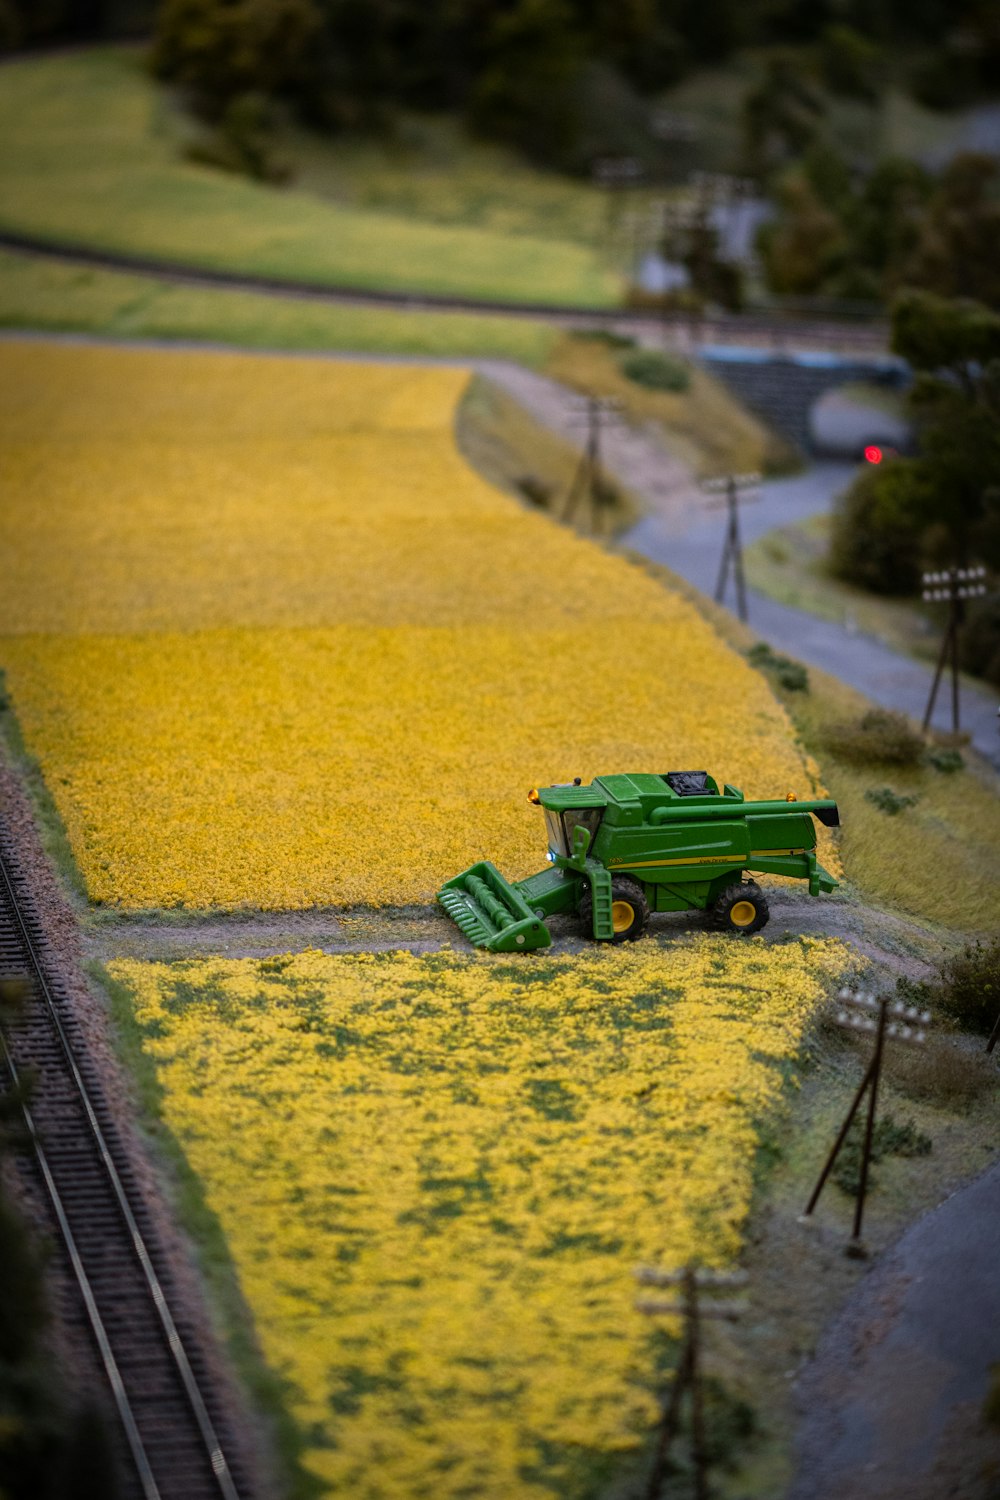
{"x":92,"y":158}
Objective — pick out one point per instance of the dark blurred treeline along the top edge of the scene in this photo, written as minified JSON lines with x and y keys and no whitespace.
{"x":563,"y":80}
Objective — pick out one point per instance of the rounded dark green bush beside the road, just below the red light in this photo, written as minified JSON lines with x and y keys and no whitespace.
{"x":879,"y":524}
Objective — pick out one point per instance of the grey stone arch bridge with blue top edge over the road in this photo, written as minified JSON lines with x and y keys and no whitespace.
{"x":785,"y":388}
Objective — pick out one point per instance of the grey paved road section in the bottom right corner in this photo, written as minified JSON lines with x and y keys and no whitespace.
{"x":891,"y":1405}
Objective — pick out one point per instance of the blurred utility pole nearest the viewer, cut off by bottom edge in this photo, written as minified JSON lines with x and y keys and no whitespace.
{"x":689,"y":1306}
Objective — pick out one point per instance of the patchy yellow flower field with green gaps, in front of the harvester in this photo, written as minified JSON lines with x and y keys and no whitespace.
{"x":436,"y":1177}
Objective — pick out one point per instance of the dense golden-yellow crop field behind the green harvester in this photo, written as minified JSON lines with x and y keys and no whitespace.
{"x":275,"y":644}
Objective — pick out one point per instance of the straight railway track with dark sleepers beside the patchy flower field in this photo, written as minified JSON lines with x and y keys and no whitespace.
{"x":157,"y":1372}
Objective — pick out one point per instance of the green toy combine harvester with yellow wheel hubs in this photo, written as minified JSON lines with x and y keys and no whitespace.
{"x":626,"y":847}
